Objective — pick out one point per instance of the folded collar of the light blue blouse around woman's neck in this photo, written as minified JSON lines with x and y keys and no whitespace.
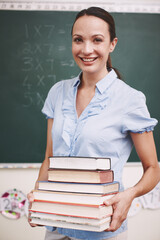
{"x":101,"y":85}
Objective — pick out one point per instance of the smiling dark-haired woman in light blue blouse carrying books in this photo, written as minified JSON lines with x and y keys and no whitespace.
{"x":97,"y":115}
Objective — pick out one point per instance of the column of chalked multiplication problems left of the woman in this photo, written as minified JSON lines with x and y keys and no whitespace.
{"x":37,"y":63}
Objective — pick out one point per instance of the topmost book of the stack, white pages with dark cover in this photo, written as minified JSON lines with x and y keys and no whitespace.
{"x":83,"y":163}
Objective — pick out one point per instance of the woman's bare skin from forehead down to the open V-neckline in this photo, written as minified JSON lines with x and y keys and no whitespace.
{"x":91,"y":47}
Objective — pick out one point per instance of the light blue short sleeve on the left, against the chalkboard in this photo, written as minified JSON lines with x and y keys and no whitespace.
{"x":49,"y":104}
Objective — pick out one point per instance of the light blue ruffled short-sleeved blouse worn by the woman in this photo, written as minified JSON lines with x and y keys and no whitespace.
{"x":102,"y":130}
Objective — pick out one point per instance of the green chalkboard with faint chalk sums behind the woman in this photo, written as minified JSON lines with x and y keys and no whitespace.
{"x":35,"y":52}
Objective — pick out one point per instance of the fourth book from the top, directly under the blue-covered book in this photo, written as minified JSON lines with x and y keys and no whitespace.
{"x":72,"y":198}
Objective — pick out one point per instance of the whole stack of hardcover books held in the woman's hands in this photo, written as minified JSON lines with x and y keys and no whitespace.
{"x":74,"y":195}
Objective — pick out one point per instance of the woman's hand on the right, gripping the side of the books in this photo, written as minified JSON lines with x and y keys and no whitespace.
{"x":121,"y":203}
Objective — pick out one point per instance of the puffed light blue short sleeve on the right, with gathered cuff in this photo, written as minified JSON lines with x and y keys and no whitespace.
{"x":137,"y":117}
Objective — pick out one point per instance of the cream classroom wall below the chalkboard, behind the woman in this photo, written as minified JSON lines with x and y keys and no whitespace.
{"x":143,"y":225}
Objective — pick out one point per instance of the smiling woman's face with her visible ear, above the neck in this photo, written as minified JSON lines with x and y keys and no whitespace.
{"x":91,"y":44}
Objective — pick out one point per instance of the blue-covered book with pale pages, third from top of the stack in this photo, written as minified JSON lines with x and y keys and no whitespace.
{"x":98,"y":188}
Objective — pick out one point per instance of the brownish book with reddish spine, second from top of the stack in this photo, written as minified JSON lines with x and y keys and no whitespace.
{"x":91,"y":176}
